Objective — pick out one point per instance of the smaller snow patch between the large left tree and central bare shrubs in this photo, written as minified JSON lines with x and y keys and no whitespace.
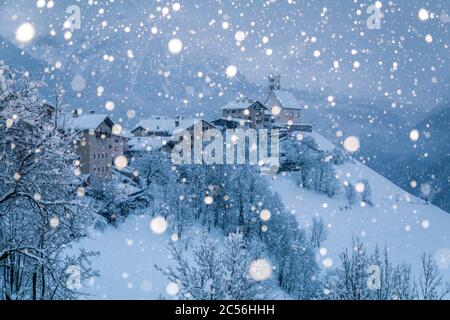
{"x":128,"y":254}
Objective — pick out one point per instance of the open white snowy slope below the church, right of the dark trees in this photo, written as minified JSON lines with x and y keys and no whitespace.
{"x":405,"y":223}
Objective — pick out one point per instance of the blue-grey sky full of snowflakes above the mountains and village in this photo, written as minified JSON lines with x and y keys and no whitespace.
{"x":316,"y":45}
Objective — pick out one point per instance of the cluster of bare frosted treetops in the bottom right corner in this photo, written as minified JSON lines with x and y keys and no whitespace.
{"x":365,"y":276}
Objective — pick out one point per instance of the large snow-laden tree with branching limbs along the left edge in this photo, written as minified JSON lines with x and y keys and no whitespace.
{"x":40,"y":212}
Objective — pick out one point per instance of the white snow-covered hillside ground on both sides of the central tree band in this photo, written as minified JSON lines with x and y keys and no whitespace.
{"x":405,"y":223}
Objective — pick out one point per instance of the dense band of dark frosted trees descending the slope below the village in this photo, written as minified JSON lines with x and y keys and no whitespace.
{"x":240,"y":194}
